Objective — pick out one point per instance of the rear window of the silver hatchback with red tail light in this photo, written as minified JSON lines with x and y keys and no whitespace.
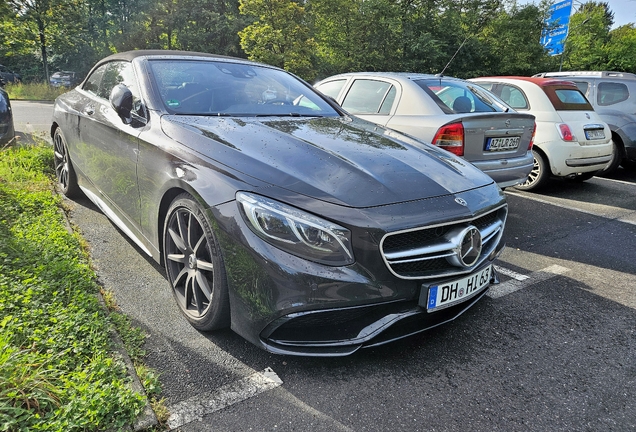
{"x":458,"y":97}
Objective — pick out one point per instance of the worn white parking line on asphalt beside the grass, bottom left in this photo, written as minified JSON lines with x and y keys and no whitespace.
{"x":196,"y":407}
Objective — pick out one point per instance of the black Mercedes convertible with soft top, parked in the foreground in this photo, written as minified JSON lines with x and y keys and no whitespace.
{"x":274,"y":212}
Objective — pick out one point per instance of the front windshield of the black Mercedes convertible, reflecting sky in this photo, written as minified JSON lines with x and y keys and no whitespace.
{"x":195,"y":87}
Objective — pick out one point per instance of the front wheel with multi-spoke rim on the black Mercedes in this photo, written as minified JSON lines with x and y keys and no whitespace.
{"x":194,"y":266}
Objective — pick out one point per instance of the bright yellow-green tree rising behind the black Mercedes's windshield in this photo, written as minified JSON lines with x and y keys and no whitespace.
{"x":279,"y":35}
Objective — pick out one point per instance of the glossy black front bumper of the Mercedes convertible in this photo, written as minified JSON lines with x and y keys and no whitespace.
{"x":289,"y":305}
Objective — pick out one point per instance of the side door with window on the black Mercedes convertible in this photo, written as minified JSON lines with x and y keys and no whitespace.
{"x":109,"y":146}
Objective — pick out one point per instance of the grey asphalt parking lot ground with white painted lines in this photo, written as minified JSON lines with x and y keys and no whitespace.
{"x":553,"y":347}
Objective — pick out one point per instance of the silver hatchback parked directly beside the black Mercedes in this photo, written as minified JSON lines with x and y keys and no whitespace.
{"x":450,"y":113}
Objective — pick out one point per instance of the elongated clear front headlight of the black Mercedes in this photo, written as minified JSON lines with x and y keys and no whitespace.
{"x":296,"y":231}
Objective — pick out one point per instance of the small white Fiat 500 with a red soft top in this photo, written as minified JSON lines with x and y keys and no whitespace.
{"x":571,"y":140}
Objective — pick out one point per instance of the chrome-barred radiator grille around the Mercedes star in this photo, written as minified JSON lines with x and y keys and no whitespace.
{"x":428,"y":252}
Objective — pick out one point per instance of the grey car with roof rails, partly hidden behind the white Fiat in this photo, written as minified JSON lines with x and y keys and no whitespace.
{"x":613,"y":96}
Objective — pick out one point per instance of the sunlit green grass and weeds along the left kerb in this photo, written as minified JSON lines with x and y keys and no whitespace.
{"x":56,"y":368}
